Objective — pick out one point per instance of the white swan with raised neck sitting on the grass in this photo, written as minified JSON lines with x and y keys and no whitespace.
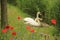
{"x":33,"y":22}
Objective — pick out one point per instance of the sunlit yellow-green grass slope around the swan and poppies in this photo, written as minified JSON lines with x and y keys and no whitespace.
{"x":20,"y":27}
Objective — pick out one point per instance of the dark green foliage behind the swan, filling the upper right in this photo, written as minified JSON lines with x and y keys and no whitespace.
{"x":49,"y":8}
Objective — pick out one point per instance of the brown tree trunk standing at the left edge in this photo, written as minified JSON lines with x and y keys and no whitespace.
{"x":3,"y":13}
